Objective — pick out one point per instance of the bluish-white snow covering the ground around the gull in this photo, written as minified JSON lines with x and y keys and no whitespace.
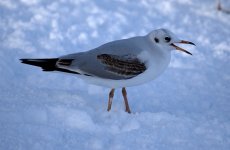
{"x":187,"y":108}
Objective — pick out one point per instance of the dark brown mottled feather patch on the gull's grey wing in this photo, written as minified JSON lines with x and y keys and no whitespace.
{"x":127,"y":65}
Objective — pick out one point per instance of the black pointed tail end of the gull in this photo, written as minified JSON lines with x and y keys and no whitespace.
{"x":46,"y":64}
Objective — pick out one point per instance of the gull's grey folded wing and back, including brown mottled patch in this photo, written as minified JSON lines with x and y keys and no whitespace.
{"x":115,"y":60}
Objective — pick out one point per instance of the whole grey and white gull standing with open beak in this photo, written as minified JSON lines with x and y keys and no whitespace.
{"x":118,"y":64}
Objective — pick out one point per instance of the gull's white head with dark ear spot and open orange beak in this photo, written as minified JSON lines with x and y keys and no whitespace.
{"x":166,"y":40}
